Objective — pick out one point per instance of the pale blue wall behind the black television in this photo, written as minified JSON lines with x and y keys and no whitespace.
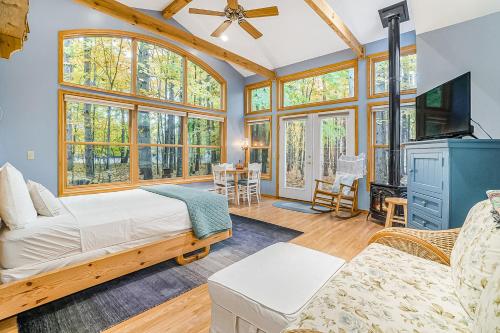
{"x":469,"y":46}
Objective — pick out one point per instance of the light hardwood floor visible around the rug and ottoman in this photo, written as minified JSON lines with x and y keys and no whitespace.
{"x":190,"y":312}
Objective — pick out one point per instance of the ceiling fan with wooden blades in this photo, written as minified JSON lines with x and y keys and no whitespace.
{"x":235,"y":12}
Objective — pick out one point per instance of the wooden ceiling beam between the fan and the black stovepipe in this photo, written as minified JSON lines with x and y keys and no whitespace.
{"x":326,"y":12}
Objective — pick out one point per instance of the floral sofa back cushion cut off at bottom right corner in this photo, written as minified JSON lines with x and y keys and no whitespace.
{"x":488,"y":312}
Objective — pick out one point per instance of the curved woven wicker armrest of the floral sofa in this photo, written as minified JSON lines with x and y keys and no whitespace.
{"x":431,"y":245}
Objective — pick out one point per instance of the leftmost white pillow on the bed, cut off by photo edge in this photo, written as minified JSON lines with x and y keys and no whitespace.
{"x":16,"y":207}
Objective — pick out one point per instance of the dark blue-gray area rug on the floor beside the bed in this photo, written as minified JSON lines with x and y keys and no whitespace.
{"x":100,"y":307}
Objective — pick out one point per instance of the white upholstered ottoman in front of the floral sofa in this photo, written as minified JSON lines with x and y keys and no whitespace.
{"x":265,"y":291}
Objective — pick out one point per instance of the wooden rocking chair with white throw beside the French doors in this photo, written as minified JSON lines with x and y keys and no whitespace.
{"x":341,"y":196}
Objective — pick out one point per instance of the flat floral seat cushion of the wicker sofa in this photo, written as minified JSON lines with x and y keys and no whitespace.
{"x":386,"y":290}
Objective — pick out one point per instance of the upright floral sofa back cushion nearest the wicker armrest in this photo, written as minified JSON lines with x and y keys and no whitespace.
{"x":475,"y":256}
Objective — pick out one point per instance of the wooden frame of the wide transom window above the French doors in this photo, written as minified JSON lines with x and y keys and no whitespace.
{"x":353,"y":63}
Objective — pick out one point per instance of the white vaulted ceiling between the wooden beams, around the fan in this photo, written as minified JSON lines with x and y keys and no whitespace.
{"x":299,"y":34}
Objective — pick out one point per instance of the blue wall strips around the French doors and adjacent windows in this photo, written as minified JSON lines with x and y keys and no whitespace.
{"x":269,"y":187}
